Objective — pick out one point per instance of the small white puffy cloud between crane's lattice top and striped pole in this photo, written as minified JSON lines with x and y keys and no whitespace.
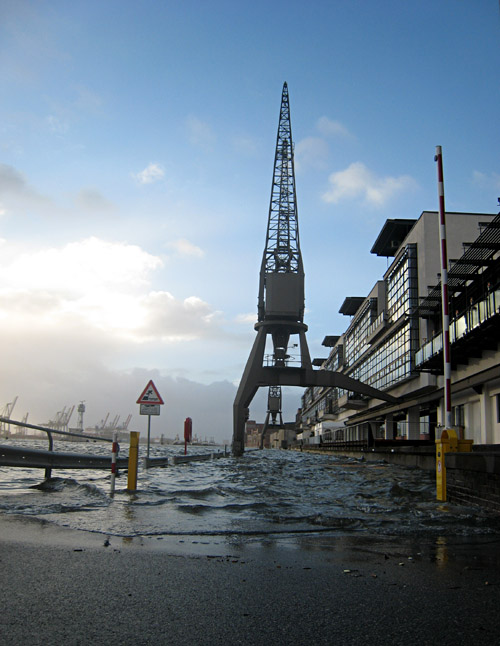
{"x":358,"y":181}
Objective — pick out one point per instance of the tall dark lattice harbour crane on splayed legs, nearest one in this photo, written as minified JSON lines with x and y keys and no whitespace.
{"x":281,"y":297}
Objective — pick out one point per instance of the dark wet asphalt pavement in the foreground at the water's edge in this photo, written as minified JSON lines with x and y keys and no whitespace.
{"x":67,"y":587}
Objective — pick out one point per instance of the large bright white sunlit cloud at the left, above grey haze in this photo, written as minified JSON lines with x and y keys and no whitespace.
{"x":100,"y":286}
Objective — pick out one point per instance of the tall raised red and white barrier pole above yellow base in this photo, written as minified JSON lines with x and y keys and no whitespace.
{"x":444,"y":290}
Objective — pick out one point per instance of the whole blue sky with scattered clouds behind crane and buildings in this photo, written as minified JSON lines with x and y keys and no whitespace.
{"x":136,"y":151}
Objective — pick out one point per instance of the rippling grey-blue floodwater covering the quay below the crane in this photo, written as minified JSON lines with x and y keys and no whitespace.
{"x":264,"y":493}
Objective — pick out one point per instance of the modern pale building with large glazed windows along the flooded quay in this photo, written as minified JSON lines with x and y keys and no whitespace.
{"x":394,"y":341}
